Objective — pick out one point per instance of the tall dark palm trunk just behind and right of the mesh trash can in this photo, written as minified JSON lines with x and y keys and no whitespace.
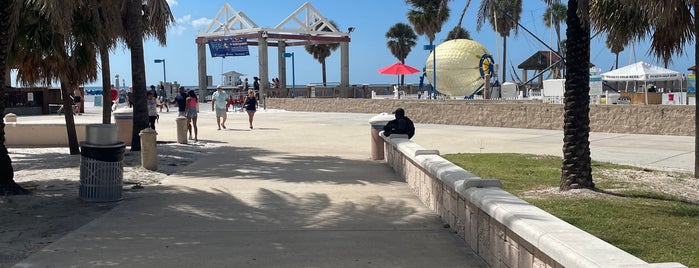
{"x":138,"y":73}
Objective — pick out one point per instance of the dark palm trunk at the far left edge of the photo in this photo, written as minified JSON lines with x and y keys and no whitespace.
{"x":9,"y":14}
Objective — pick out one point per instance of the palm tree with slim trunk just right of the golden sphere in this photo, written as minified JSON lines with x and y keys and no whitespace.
{"x":494,"y":11}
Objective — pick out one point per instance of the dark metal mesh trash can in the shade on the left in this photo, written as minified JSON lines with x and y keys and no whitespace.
{"x":101,"y":172}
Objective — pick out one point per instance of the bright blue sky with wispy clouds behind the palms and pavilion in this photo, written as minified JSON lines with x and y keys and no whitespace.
{"x":368,"y":52}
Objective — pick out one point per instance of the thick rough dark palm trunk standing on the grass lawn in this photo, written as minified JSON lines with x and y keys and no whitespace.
{"x":576,"y":171}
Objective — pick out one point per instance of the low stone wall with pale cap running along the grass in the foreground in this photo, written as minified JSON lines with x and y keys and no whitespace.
{"x":501,"y":228}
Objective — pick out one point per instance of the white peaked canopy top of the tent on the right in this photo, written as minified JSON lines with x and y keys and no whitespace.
{"x":641,"y":71}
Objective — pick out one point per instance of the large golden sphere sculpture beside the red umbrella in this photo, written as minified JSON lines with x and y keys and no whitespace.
{"x":461,"y":63}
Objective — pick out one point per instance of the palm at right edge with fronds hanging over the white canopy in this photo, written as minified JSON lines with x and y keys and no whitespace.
{"x":670,"y":25}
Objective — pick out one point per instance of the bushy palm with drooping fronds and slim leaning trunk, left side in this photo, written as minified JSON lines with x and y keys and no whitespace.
{"x":45,"y":52}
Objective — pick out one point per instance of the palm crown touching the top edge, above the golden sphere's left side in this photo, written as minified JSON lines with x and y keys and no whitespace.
{"x":428,"y":16}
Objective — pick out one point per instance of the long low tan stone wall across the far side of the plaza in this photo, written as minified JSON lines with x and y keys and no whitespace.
{"x":637,"y":119}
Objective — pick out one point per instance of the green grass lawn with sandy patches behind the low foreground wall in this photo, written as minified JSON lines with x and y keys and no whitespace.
{"x":653,"y":226}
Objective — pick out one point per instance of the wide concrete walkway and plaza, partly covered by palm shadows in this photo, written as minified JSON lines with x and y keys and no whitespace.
{"x":300,"y":191}
